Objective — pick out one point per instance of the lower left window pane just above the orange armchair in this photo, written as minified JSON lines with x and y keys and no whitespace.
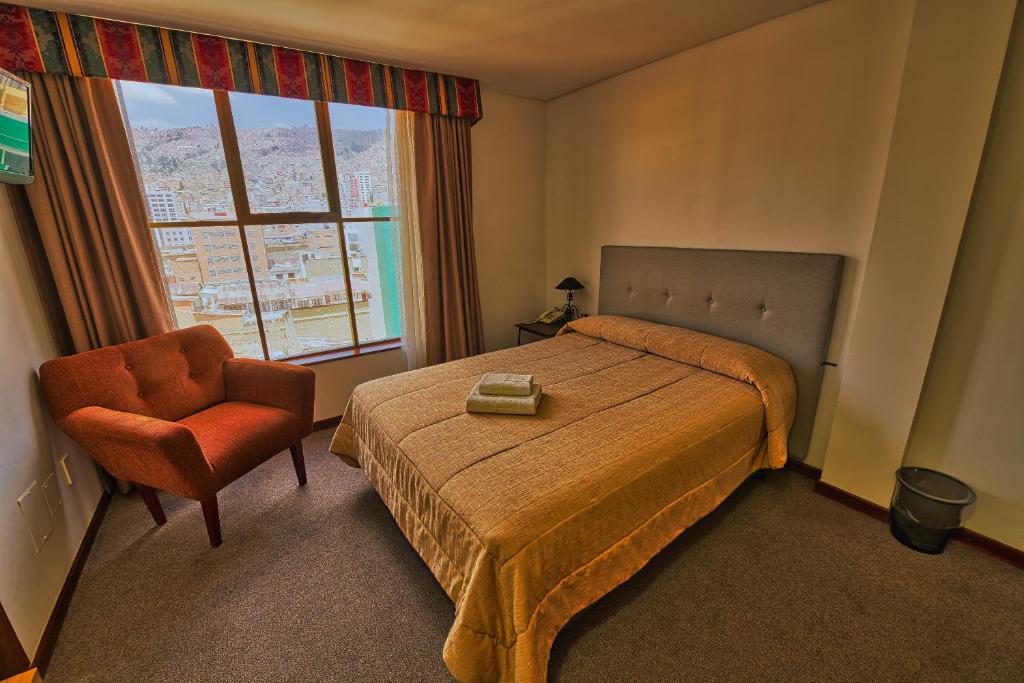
{"x":206,"y":283}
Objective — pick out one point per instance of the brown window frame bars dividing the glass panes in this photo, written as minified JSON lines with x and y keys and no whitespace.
{"x":244,"y":218}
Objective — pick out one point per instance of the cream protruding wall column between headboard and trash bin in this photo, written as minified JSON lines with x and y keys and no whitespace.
{"x":955,"y":59}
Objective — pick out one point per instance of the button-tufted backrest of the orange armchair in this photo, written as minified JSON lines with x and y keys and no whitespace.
{"x":169,"y":376}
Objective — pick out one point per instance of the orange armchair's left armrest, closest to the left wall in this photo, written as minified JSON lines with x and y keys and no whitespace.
{"x":152,"y":452}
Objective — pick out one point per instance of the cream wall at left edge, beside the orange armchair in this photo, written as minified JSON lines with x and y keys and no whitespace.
{"x":30,"y":447}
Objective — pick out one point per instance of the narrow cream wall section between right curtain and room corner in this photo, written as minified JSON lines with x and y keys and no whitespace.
{"x":509,"y":222}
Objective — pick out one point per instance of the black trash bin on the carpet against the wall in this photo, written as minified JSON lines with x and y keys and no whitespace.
{"x":927,"y":507}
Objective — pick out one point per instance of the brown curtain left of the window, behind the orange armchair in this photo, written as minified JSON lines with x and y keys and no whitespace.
{"x":91,"y":215}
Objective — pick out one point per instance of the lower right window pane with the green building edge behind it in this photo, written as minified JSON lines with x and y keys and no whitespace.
{"x":373,"y":262}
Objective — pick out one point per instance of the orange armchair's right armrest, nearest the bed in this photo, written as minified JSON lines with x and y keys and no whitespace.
{"x":273,"y":383}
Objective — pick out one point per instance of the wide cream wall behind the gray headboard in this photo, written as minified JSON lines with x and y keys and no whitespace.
{"x":774,"y":139}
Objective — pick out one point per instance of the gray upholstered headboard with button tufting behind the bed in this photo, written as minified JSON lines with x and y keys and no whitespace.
{"x":780,"y":302}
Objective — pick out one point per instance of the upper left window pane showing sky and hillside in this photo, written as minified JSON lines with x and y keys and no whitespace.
{"x":177,"y":139}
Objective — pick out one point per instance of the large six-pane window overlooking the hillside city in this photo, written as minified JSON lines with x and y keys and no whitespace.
{"x":275,"y":220}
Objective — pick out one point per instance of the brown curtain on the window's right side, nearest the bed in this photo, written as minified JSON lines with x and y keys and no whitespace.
{"x":442,"y":302}
